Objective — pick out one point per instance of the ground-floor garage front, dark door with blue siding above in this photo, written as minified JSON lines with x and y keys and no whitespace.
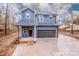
{"x":46,"y":32}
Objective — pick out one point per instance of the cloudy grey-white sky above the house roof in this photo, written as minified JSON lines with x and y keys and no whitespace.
{"x":60,"y":8}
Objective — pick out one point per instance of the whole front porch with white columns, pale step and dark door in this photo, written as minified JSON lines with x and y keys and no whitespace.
{"x":27,"y":33}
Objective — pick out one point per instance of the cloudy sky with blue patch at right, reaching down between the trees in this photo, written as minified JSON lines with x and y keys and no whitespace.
{"x":62,"y":9}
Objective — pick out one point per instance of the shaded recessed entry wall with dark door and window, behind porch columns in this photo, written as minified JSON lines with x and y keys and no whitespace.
{"x":27,"y":31}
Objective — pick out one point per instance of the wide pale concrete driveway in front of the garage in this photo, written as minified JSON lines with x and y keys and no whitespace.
{"x":63,"y":46}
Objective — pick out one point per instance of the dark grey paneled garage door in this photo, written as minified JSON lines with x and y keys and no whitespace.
{"x":45,"y":33}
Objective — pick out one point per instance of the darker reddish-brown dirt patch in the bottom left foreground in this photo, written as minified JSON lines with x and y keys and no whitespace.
{"x":8,"y":50}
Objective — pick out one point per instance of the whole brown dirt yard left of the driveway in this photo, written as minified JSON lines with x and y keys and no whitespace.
{"x":8,"y":44}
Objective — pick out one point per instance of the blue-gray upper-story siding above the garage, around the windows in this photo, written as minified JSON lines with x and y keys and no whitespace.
{"x":46,"y":20}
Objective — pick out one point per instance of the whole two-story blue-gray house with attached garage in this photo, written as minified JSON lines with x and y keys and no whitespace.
{"x":38,"y":24}
